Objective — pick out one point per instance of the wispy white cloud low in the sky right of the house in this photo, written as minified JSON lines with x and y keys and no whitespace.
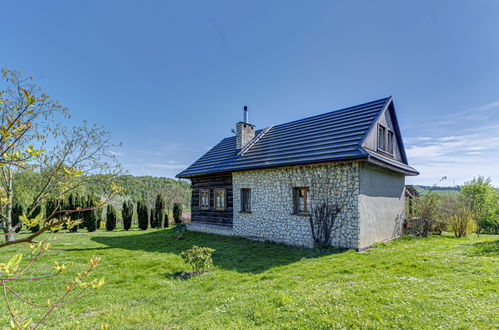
{"x":471,"y":148}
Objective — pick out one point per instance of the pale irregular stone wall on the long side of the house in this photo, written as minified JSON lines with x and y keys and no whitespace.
{"x":272,"y":207}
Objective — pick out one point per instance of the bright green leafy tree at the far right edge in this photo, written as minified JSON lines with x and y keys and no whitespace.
{"x":481,"y":198}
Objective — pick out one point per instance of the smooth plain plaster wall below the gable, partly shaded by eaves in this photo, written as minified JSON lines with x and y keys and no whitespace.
{"x":381,"y":205}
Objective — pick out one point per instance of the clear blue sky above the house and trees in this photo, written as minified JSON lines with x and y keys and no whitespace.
{"x":169,"y":78}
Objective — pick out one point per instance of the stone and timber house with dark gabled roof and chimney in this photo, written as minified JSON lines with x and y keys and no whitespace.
{"x":263,"y":184}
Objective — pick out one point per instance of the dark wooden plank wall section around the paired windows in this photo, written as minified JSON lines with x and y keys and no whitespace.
{"x":212,"y":182}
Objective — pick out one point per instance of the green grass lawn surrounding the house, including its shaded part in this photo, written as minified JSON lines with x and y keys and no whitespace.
{"x":410,"y":282}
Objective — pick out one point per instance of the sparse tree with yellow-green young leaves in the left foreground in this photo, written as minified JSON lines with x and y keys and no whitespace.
{"x":27,"y":117}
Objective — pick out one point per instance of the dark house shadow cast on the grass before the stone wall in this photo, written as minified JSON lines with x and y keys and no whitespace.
{"x":232,"y":253}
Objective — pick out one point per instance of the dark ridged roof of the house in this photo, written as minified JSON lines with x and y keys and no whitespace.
{"x":331,"y":136}
